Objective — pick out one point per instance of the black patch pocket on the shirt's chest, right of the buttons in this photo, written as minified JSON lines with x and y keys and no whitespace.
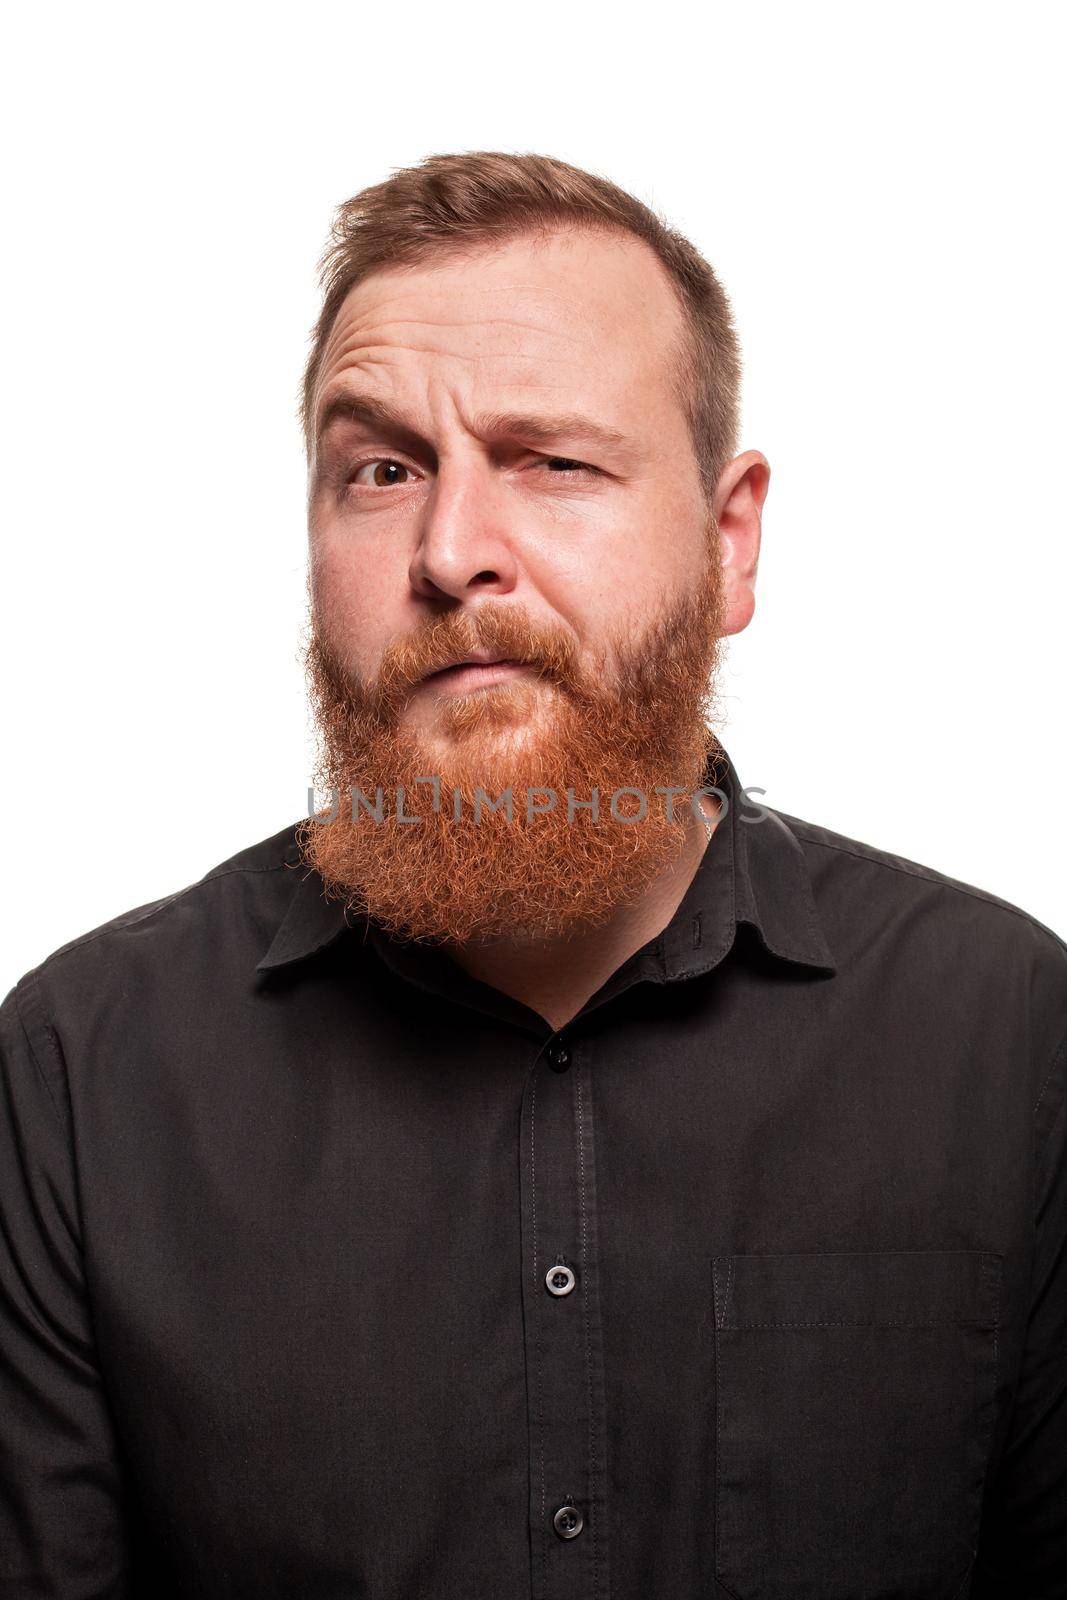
{"x":853,"y":1414}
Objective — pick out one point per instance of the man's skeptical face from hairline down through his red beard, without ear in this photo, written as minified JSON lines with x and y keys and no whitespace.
{"x":503,"y":468}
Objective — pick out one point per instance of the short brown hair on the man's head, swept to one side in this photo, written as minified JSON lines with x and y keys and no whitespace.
{"x":457,"y":202}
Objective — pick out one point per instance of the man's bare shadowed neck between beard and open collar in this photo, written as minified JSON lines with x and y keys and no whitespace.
{"x":556,"y":977}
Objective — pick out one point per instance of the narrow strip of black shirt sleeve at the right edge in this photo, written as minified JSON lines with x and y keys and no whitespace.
{"x":1023,"y":1550}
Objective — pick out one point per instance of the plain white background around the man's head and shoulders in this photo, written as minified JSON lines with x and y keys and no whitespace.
{"x":881,"y":190}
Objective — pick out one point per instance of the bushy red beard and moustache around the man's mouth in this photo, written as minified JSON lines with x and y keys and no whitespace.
{"x":465,"y":871}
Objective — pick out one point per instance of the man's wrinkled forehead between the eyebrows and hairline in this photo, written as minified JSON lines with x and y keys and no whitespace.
{"x":564,"y":316}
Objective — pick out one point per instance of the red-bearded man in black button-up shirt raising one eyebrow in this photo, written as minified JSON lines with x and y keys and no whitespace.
{"x":538,"y":1170}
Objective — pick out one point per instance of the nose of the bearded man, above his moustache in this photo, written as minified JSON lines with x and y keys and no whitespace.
{"x":465,"y":540}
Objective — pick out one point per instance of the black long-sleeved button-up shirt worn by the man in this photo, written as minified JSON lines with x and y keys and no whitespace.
{"x":330,"y":1271}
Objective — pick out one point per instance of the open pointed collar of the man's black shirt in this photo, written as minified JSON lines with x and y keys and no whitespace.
{"x":753,"y":873}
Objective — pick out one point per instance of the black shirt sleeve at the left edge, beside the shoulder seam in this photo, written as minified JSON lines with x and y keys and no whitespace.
{"x":62,"y":1529}
